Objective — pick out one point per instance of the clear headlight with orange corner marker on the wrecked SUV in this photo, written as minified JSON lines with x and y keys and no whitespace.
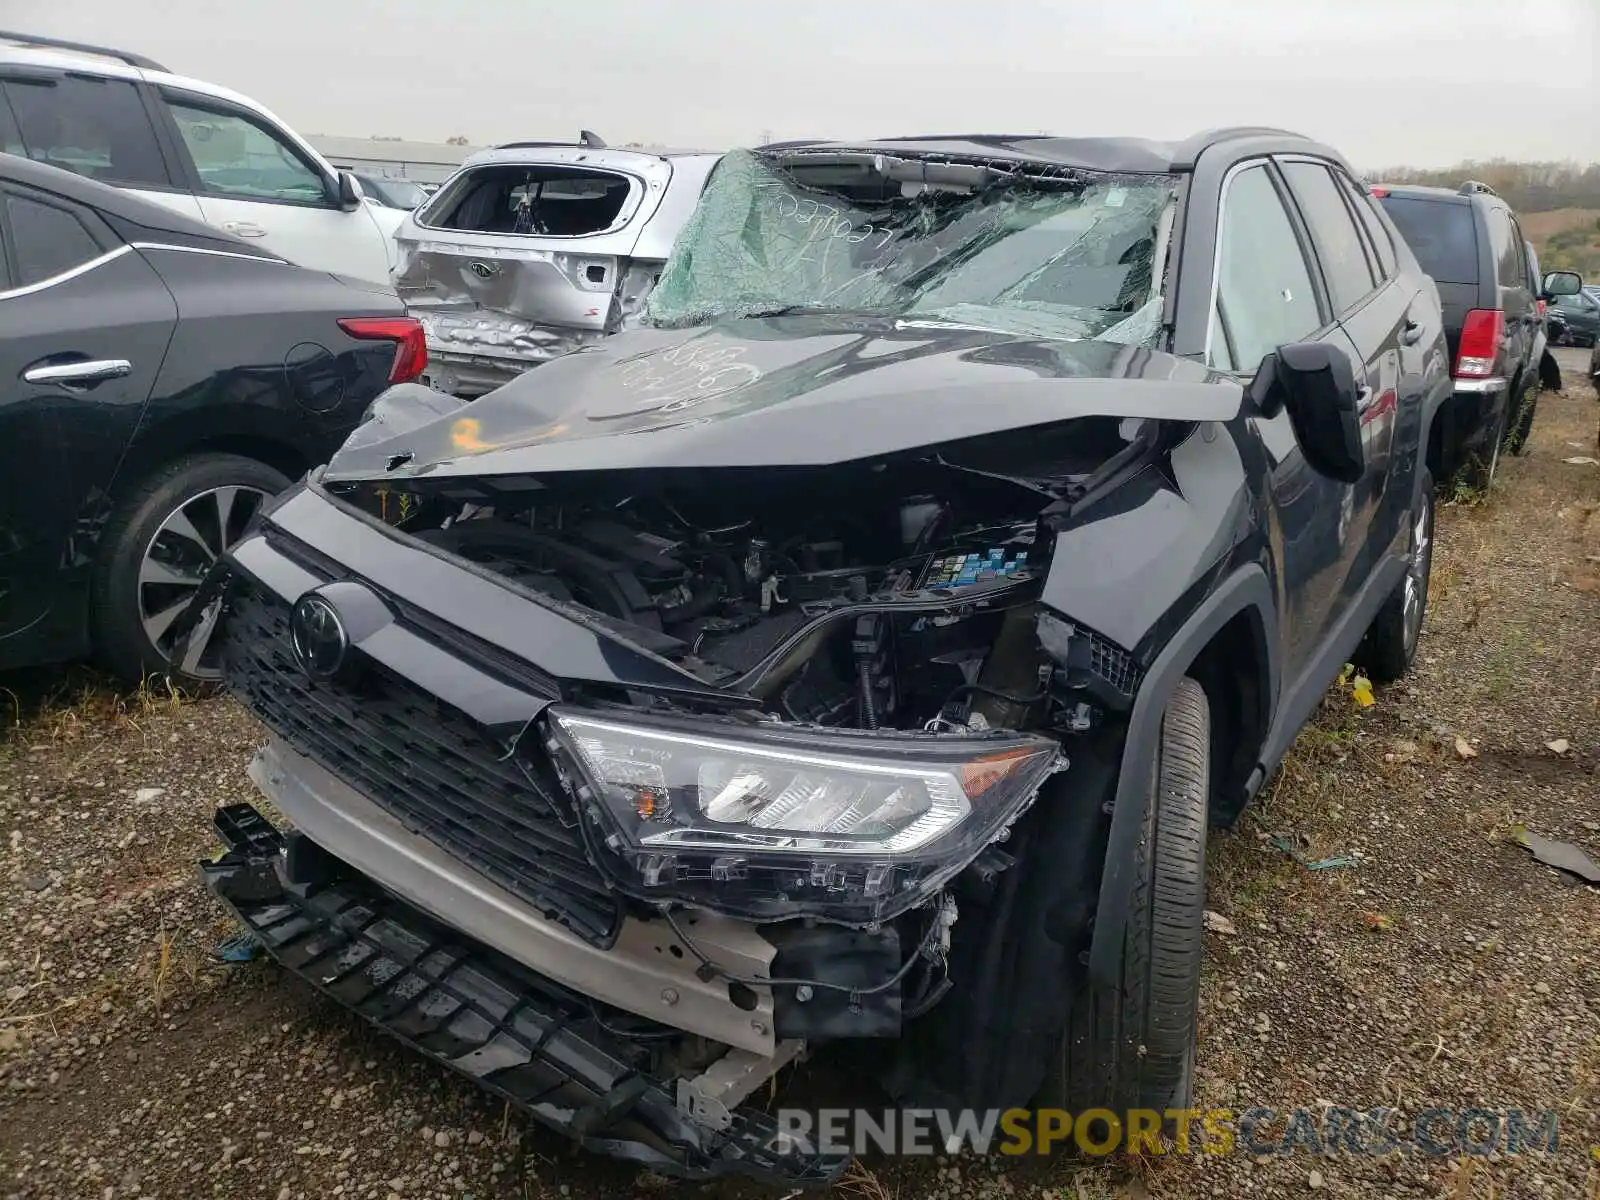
{"x":894,"y":796}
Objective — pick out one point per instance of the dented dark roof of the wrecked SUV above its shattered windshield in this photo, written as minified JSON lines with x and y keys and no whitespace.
{"x":1122,"y":156}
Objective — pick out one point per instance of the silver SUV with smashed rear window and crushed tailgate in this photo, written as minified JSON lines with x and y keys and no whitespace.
{"x":537,"y":249}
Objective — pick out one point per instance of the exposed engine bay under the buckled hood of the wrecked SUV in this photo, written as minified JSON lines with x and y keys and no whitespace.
{"x":876,"y":596}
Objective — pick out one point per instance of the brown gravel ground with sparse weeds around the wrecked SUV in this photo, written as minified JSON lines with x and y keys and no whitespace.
{"x":1442,"y":967}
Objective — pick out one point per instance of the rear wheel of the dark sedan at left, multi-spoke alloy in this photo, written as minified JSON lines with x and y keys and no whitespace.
{"x":158,"y":548}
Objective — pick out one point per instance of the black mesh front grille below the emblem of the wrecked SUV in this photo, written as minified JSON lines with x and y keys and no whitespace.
{"x":423,"y":762}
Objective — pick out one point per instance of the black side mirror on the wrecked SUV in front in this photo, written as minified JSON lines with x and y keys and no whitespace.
{"x":1318,"y":386}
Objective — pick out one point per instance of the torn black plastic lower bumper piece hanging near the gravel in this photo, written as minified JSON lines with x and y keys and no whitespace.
{"x":484,"y":1015}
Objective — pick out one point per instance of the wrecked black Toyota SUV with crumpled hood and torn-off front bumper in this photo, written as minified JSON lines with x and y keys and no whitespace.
{"x":860,"y":652}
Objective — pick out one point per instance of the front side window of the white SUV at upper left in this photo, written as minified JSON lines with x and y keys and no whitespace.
{"x":239,"y":158}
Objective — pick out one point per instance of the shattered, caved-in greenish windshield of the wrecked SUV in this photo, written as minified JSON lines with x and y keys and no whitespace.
{"x":1038,"y":252}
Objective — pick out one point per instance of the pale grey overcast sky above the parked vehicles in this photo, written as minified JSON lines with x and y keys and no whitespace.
{"x":1388,"y":82}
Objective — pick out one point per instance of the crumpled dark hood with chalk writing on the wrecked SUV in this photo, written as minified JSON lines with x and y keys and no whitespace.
{"x":782,"y":393}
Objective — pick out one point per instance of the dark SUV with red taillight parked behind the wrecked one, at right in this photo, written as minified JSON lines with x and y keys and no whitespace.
{"x":1471,"y":244}
